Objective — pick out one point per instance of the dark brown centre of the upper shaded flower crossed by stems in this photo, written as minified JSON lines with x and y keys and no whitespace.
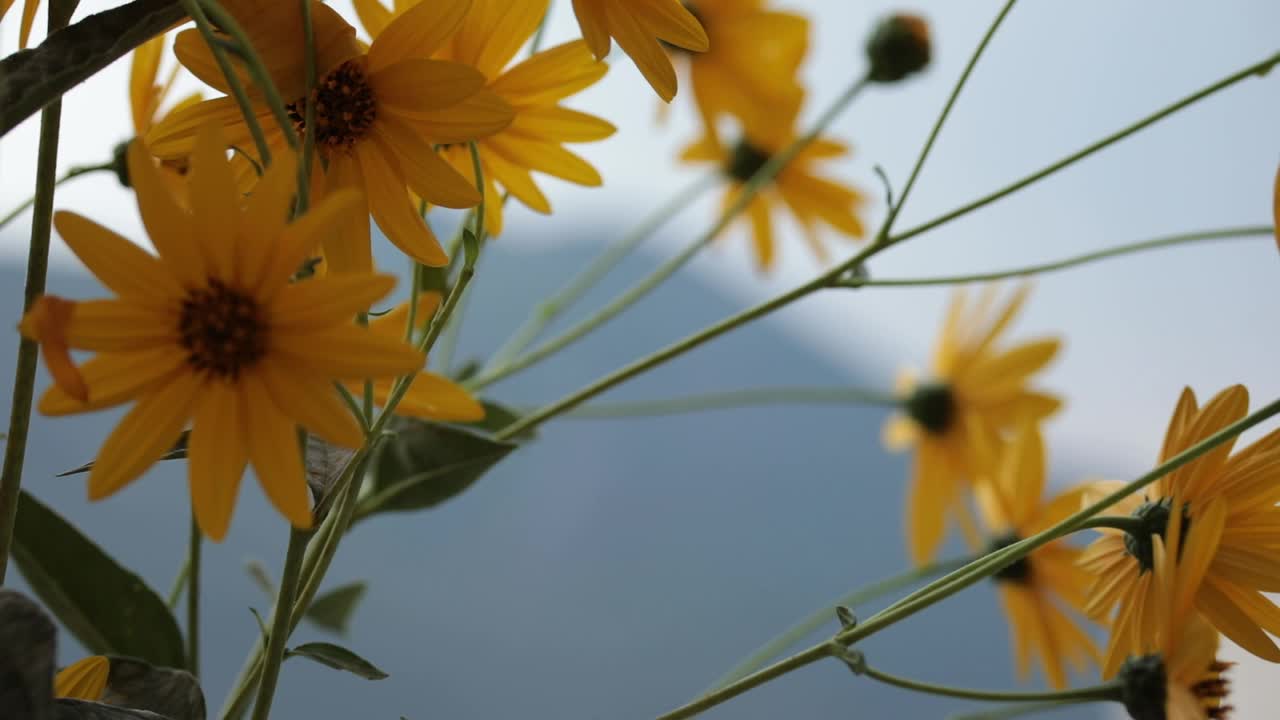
{"x":346,"y":107}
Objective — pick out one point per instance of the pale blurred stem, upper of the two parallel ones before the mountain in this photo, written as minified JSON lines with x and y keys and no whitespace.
{"x":589,"y":277}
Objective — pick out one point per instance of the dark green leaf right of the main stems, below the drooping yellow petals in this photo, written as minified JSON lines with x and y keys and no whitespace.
{"x":427,"y":464}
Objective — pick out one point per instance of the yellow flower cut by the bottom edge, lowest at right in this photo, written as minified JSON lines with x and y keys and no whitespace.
{"x":1173,"y":672}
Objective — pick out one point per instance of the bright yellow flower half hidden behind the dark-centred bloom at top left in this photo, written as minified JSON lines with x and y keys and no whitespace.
{"x":488,"y":40}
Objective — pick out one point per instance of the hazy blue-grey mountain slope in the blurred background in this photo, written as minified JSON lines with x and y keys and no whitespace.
{"x":610,"y":569}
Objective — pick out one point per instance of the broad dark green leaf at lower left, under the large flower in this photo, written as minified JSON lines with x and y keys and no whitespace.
{"x":108,"y":608}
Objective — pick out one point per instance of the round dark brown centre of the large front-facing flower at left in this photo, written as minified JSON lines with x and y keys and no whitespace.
{"x":222,"y":331}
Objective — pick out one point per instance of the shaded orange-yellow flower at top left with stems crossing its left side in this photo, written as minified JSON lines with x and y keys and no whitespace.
{"x":378,"y":116}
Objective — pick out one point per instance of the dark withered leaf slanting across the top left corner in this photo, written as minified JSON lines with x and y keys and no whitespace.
{"x":31,"y":80}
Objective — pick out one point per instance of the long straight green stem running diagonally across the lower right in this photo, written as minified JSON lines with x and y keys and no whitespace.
{"x":970,"y":575}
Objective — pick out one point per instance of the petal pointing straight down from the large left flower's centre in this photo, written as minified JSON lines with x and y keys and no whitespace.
{"x":218,"y":453}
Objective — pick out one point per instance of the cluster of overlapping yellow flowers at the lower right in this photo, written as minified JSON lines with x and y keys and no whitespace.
{"x":1190,"y":559}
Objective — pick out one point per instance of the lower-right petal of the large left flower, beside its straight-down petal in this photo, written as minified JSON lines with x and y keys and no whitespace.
{"x":273,"y":449}
